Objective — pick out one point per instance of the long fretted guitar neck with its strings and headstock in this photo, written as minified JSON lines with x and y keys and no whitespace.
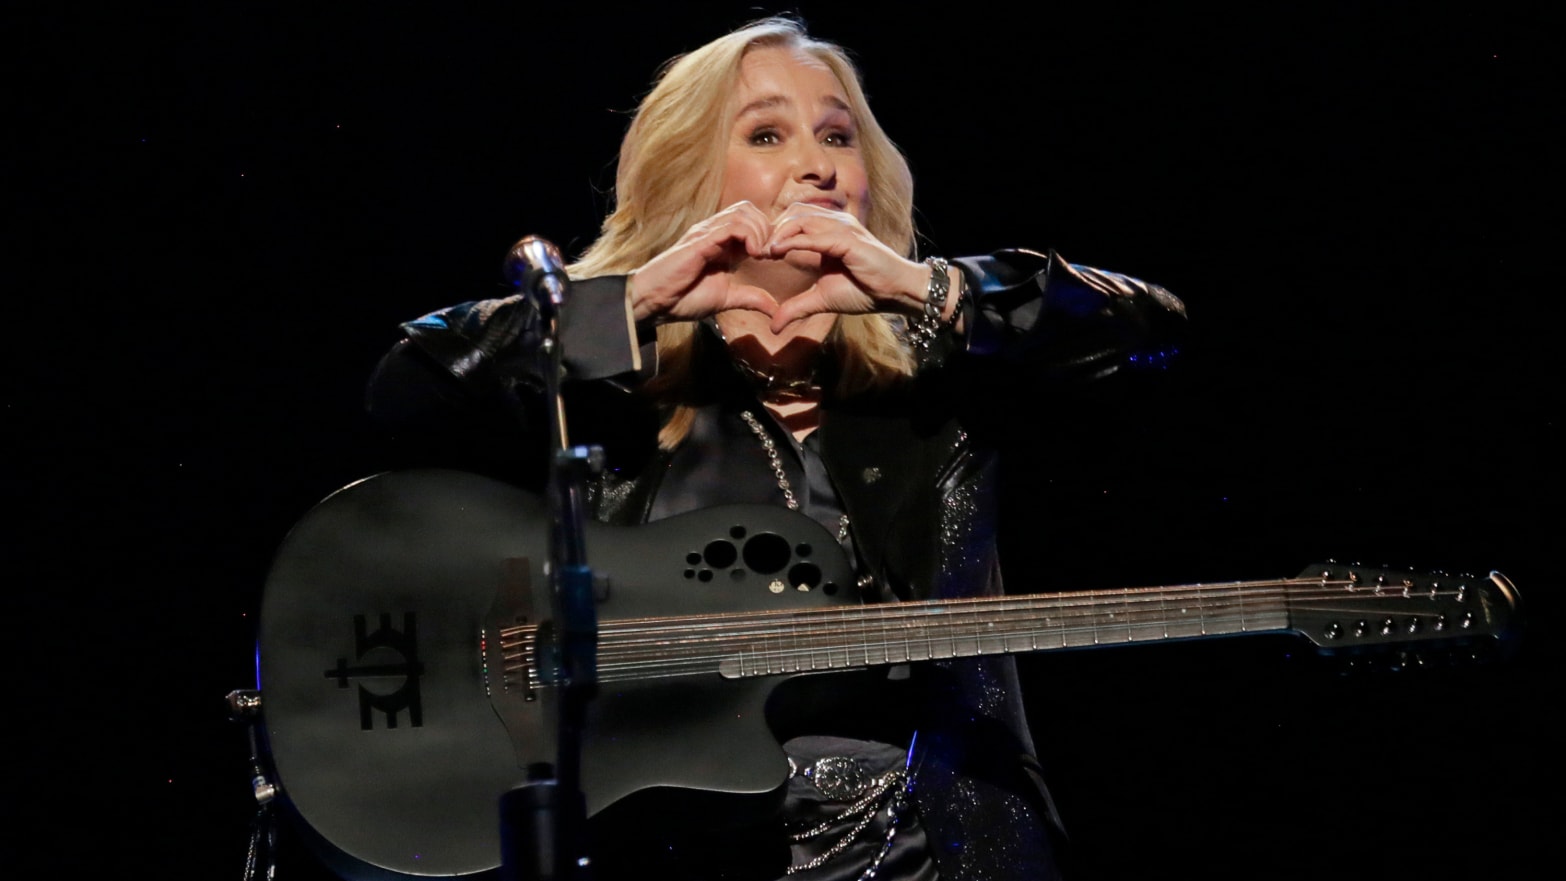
{"x":1332,"y":606}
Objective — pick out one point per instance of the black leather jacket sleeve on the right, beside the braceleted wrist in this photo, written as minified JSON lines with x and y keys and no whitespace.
{"x":1067,"y":320}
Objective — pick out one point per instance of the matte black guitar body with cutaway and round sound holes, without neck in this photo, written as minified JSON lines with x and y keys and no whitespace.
{"x":391,"y":722}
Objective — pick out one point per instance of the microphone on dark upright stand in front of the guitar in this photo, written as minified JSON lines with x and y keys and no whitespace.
{"x":544,"y":821}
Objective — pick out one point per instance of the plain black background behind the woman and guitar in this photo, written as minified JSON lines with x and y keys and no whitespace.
{"x":225,"y":209}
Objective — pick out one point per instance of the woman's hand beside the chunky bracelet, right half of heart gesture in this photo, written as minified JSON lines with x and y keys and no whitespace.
{"x":859,"y":273}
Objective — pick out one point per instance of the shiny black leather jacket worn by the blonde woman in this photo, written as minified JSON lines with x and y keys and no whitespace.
{"x":915,"y":469}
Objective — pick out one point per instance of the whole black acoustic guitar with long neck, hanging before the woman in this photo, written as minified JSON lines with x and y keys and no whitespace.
{"x":405,"y":617}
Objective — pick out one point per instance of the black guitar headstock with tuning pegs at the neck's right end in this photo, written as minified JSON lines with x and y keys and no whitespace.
{"x":1348,"y":608}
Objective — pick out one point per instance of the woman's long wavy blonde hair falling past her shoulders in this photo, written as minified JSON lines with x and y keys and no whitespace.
{"x":671,"y":178}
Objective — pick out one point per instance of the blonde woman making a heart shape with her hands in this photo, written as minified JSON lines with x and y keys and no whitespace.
{"x":756,"y":326}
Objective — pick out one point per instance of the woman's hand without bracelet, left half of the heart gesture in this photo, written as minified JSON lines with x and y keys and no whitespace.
{"x":695,"y":278}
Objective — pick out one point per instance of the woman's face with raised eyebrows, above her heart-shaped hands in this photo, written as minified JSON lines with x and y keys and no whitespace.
{"x":793,"y":138}
